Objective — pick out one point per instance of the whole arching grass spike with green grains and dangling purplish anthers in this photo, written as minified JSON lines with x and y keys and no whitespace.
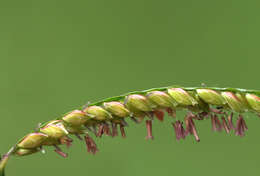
{"x":106,"y":116}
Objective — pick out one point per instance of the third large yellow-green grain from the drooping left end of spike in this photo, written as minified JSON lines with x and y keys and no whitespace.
{"x":76,"y":118}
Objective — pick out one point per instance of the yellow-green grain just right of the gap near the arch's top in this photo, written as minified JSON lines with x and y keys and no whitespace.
{"x":211,"y":97}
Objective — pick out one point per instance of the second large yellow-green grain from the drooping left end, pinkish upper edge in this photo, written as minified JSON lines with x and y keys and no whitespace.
{"x":54,"y":130}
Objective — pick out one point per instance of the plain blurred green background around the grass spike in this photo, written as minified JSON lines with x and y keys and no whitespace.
{"x":56,"y":55}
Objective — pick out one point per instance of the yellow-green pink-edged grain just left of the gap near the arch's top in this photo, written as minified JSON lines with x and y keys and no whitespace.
{"x":182,"y":97}
